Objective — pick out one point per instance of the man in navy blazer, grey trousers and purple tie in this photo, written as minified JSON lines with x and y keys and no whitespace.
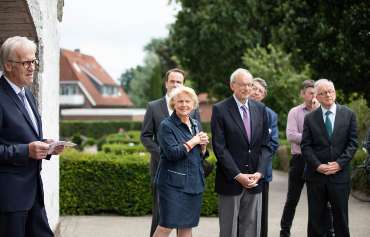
{"x":240,"y":139}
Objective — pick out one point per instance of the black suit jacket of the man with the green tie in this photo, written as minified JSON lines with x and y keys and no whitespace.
{"x":318,"y":148}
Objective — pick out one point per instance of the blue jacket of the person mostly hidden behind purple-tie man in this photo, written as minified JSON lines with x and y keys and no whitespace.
{"x":274,"y":139}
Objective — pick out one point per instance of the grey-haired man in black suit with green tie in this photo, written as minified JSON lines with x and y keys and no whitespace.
{"x":329,"y":142}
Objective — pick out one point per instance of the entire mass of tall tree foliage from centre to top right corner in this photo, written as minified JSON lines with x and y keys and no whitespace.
{"x":333,"y":37}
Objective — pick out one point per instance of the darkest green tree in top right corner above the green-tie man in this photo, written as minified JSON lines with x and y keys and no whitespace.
{"x":332,"y":36}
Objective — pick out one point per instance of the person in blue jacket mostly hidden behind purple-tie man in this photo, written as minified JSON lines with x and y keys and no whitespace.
{"x":259,"y":92}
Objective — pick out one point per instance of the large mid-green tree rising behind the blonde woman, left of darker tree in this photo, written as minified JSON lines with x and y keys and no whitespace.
{"x":210,"y":37}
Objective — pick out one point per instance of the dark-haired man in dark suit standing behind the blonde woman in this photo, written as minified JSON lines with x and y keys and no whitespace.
{"x":156,"y":111}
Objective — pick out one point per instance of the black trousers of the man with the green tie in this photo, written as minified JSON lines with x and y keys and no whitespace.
{"x":319,"y":195}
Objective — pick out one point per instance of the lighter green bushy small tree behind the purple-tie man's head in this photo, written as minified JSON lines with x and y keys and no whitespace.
{"x":275,"y":66}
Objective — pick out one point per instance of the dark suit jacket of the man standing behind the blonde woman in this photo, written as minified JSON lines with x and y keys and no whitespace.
{"x":155,"y":113}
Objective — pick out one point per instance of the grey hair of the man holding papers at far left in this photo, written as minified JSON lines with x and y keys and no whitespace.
{"x":7,"y":50}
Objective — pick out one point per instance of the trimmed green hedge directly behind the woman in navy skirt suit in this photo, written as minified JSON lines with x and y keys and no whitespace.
{"x":107,"y":183}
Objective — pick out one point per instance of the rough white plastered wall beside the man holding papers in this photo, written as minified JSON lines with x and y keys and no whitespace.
{"x":44,"y":14}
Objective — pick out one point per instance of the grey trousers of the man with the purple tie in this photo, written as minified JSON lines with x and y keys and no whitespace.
{"x":240,"y":215}
